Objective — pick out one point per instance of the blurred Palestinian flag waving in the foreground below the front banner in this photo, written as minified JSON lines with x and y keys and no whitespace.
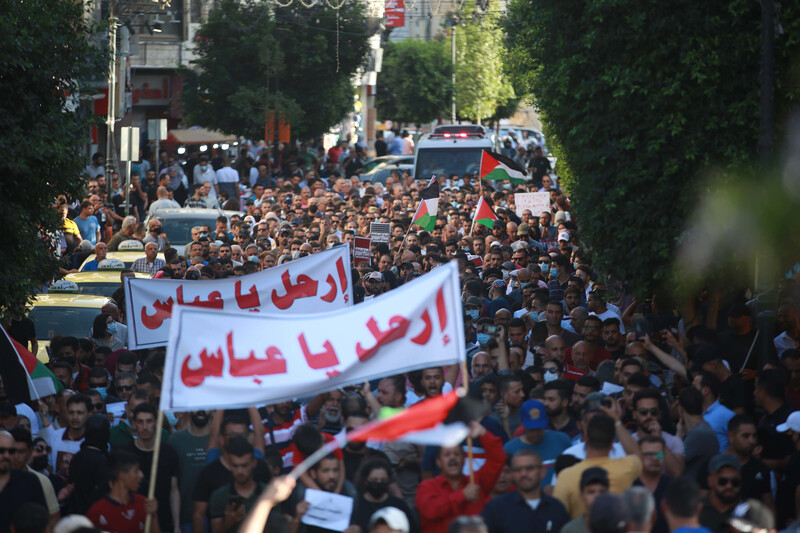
{"x":439,"y":421}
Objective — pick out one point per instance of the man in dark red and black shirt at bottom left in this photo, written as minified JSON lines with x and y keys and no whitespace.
{"x":122,"y":510}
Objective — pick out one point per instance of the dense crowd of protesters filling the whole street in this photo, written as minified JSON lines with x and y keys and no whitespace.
{"x":602,"y":413}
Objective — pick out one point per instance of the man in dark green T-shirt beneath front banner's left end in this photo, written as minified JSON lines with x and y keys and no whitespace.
{"x":191,"y":444}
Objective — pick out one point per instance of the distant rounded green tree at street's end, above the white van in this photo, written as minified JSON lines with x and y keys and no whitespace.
{"x":415,"y":83}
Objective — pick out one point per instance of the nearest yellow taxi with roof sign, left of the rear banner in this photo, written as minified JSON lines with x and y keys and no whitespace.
{"x":62,"y":311}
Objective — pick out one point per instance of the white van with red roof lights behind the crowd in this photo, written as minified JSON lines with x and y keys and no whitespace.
{"x":452,"y":149}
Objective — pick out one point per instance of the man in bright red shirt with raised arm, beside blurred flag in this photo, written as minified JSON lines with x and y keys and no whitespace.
{"x":450,"y":494}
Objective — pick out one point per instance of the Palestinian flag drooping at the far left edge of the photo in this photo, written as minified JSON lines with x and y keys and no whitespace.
{"x":19,"y":368}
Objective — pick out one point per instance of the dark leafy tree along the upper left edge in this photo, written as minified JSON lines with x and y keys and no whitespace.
{"x":46,"y":49}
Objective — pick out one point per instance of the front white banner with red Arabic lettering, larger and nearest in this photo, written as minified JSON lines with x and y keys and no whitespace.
{"x":223,"y":359}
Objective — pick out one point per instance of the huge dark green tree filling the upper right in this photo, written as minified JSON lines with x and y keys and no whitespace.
{"x":639,"y":99}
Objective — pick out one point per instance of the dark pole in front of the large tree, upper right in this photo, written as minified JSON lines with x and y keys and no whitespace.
{"x":767,"y":103}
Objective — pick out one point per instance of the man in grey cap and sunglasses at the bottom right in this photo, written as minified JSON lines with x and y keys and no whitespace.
{"x":724,"y":483}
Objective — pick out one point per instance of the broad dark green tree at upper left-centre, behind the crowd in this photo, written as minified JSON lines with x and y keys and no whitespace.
{"x":247,"y":67}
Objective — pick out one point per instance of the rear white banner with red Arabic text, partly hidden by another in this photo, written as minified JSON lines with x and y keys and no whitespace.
{"x":315,"y":283}
